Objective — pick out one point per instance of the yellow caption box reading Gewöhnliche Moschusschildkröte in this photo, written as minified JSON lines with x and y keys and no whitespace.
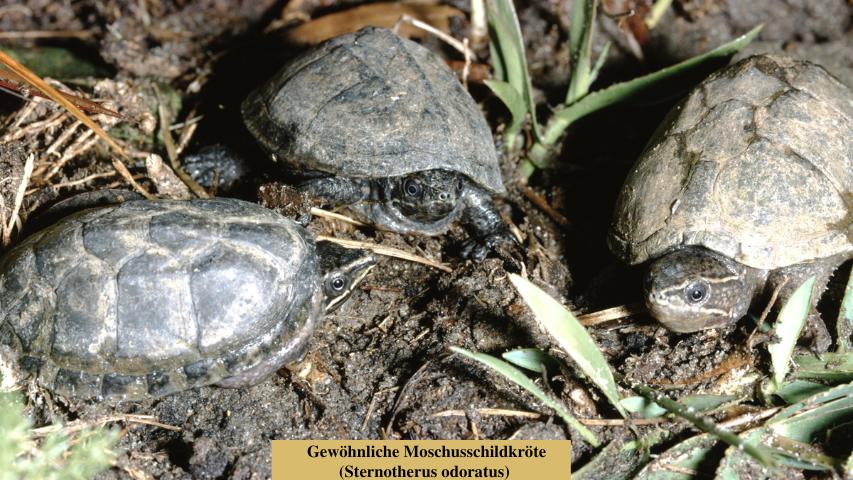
{"x":440,"y":459}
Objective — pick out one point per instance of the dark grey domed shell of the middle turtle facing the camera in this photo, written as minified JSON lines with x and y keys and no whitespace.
{"x":371,"y":104}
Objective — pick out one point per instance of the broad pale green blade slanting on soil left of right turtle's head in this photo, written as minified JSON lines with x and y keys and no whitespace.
{"x":571,"y":336}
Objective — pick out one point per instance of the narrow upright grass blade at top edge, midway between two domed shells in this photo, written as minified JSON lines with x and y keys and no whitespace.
{"x":580,"y":40}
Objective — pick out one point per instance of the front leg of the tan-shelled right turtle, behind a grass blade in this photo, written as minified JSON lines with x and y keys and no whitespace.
{"x":788,"y":279}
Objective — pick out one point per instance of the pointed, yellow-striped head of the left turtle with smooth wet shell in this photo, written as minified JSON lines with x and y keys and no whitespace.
{"x":343,"y":269}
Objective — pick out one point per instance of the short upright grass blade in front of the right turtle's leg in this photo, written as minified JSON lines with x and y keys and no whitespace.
{"x":789,"y":324}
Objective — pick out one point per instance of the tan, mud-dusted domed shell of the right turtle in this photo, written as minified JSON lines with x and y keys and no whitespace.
{"x":756,"y":163}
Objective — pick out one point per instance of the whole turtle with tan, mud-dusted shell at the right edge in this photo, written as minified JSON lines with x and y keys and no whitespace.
{"x":746,"y":189}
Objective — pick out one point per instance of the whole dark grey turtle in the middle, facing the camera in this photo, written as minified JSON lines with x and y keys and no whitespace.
{"x":379,"y":123}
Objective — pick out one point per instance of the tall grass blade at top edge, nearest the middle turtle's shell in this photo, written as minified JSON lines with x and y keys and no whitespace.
{"x":509,"y":45}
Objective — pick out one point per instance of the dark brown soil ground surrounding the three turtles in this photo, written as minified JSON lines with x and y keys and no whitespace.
{"x":379,"y":366}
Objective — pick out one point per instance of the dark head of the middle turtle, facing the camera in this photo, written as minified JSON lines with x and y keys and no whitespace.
{"x":427,"y":196}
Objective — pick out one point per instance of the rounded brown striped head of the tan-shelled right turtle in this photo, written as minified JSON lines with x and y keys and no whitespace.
{"x":693,"y":288}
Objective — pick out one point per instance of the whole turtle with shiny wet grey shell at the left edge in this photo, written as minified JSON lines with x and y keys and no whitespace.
{"x":146,"y":298}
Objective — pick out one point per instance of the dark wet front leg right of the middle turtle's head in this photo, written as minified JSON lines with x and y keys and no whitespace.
{"x":488,"y":230}
